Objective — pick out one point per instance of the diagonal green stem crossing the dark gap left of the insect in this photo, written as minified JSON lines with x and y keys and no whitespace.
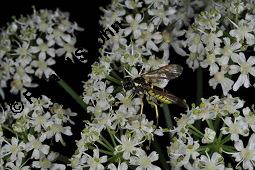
{"x":72,"y":93}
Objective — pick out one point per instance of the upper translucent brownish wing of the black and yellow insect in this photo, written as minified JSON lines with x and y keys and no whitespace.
{"x":161,"y":76}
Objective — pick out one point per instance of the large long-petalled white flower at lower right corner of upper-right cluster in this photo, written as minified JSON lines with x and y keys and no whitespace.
{"x":245,"y":68}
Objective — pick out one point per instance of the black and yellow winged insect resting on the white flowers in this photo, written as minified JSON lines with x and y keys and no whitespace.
{"x":144,"y":84}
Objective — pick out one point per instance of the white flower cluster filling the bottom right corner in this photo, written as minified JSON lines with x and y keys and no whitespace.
{"x":213,"y":132}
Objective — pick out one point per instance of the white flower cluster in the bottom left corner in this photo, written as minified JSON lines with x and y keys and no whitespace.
{"x":25,"y":136}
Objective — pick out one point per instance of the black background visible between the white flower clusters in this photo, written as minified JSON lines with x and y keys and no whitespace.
{"x":87,"y":14}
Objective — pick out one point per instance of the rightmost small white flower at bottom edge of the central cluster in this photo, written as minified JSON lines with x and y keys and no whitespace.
{"x":143,"y":161}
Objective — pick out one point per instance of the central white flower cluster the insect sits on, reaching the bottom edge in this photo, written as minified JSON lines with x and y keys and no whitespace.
{"x":117,"y":129}
